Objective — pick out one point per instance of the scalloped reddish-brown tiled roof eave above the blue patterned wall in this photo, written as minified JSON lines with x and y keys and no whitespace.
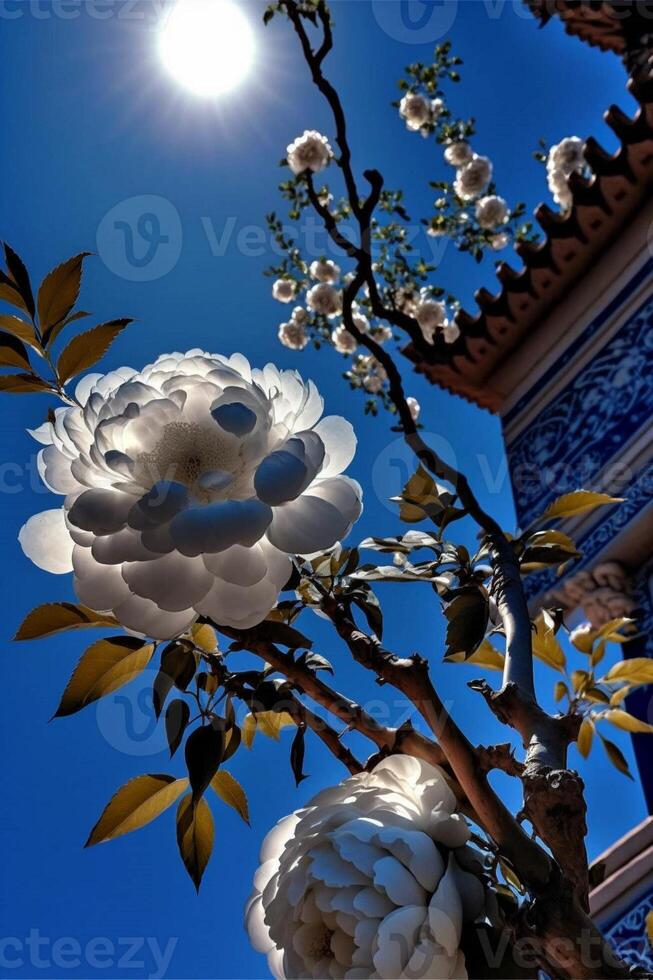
{"x":603,"y":205}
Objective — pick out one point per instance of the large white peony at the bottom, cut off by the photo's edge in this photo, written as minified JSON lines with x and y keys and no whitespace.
{"x":373,"y":878}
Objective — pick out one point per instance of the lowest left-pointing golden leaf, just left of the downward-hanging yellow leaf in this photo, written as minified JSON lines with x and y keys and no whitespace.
{"x":136,"y":804}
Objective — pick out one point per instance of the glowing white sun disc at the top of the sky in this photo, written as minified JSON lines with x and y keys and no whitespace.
{"x":207,"y":45}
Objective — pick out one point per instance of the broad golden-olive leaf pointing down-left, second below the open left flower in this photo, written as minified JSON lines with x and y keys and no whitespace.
{"x":105,"y":667}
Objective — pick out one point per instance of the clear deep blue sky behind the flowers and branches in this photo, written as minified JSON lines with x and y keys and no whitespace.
{"x":90,"y":122}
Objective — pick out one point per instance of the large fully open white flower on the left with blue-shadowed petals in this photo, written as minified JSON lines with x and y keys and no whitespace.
{"x":187,"y":485}
